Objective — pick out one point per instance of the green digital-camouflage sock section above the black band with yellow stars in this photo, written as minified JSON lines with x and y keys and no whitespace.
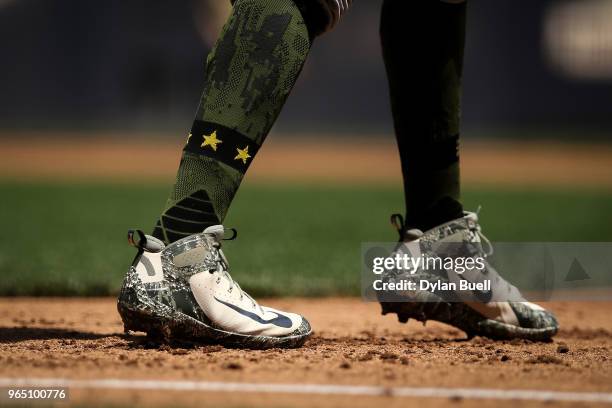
{"x":254,"y":66}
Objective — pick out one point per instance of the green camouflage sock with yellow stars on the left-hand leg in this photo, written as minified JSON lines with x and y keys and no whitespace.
{"x":249,"y":75}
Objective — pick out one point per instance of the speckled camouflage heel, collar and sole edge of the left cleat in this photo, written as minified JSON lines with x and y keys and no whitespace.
{"x":168,"y":310}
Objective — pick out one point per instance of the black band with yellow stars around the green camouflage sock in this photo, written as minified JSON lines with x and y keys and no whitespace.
{"x":229,"y":148}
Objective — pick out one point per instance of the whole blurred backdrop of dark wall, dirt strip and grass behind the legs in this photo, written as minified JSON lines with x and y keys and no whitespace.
{"x":97,"y":98}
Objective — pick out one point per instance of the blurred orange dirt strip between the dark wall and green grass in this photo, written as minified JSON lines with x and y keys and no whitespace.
{"x":141,"y":157}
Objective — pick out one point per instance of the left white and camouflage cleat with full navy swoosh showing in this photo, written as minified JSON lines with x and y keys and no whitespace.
{"x":184,"y":291}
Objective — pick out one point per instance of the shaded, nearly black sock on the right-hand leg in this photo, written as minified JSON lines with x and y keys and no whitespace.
{"x":423,"y":43}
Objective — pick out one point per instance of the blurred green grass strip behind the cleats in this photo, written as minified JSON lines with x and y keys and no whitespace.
{"x":69,"y":239}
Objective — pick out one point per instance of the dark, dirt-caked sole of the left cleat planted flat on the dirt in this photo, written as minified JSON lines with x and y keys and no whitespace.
{"x":185,"y":328}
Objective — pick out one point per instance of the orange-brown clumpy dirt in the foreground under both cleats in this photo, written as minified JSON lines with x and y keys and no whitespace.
{"x":353,"y":345}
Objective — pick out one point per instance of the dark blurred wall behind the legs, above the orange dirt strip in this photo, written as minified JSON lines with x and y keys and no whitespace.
{"x":139,"y":65}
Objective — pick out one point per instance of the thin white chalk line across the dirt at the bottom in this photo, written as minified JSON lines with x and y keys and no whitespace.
{"x":312,"y":389}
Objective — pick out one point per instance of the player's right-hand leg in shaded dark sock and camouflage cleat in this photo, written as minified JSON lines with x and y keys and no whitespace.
{"x":423,"y":43}
